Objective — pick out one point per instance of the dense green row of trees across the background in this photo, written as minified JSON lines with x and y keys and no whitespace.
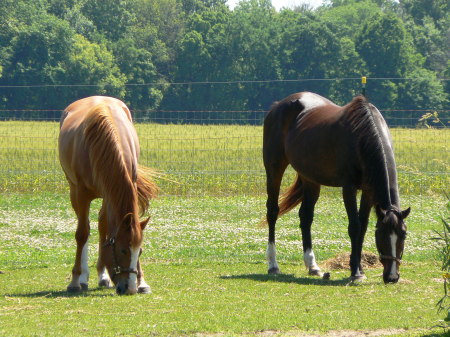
{"x":162,"y":55}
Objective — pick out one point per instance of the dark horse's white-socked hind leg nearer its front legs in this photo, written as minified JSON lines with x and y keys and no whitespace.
{"x":306,"y":213}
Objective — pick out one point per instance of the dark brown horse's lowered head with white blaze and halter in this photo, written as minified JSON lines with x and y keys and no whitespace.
{"x":390,"y":238}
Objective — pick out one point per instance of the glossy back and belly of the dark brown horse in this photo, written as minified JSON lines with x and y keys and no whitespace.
{"x":315,"y":141}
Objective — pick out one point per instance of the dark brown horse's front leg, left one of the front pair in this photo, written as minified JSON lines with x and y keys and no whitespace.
{"x":354,"y":231}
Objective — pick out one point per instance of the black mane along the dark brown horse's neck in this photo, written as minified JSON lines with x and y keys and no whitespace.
{"x":358,"y":116}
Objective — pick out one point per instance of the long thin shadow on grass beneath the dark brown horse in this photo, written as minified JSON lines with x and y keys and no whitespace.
{"x":288,"y":278}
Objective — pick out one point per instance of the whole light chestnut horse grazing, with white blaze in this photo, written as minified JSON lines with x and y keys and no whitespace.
{"x":98,"y":151}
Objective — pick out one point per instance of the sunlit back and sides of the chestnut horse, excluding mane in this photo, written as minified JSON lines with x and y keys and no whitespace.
{"x":74,"y":148}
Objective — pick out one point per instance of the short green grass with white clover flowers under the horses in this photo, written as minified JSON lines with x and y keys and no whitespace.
{"x":204,"y":259}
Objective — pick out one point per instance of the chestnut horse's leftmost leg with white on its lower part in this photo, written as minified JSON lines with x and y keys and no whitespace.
{"x":80,"y":271}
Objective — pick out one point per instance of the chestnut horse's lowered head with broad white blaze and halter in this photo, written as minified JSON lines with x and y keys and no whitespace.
{"x":121,"y":254}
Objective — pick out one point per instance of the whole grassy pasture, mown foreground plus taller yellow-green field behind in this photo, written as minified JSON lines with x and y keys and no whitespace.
{"x":204,"y":253}
